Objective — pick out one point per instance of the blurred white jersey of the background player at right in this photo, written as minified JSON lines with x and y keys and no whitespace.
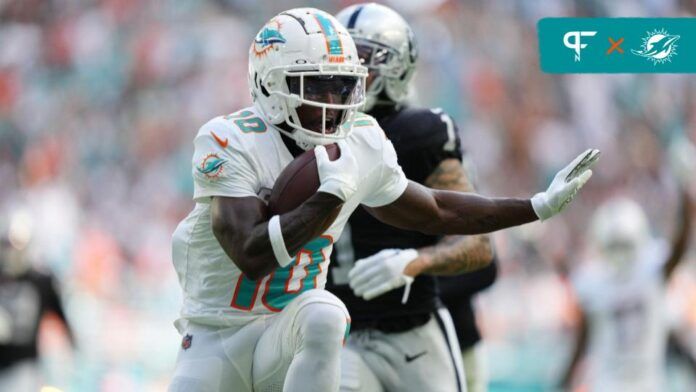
{"x":627,"y":324}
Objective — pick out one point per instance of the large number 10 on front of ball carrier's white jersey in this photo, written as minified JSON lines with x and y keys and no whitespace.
{"x":281,"y":288}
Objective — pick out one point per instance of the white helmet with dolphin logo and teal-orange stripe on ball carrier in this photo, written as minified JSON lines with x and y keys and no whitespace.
{"x":305,"y":57}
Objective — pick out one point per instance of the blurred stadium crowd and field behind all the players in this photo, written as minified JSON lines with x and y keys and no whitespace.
{"x":100,"y":100}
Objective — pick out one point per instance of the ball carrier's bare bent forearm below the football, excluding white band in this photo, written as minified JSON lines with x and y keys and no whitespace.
{"x":299,"y":227}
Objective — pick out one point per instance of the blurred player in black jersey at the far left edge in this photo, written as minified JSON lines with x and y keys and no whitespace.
{"x":26,"y":295}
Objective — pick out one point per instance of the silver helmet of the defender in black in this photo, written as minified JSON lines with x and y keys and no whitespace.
{"x":386,"y":44}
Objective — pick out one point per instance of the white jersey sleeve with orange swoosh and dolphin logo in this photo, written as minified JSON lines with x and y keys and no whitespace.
{"x":220,"y":166}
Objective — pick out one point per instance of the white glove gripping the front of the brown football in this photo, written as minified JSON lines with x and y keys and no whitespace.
{"x":339,"y":177}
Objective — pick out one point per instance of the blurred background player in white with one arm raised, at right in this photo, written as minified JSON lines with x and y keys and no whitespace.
{"x":623,"y":327}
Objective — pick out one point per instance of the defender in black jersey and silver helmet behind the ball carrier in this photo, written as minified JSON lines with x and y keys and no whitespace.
{"x":401,"y":341}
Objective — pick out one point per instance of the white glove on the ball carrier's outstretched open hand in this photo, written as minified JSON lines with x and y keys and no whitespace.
{"x":565,"y":185}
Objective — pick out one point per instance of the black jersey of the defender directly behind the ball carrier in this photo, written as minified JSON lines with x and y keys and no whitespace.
{"x":422,"y":138}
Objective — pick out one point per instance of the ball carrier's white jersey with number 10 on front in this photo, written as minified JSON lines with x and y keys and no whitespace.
{"x":240,"y":155}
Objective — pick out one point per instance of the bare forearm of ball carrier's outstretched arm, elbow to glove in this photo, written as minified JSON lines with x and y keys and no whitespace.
{"x":468,"y":213}
